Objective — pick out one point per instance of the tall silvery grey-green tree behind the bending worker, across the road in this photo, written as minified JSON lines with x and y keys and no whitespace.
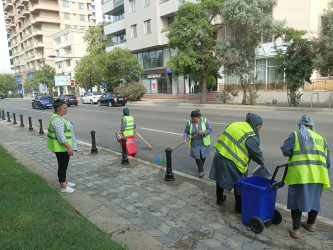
{"x":244,"y":23}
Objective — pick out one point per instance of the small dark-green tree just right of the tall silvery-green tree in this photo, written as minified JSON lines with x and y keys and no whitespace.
{"x":295,"y":60}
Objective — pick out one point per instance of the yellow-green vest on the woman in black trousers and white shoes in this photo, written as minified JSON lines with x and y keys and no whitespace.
{"x":52,"y":141}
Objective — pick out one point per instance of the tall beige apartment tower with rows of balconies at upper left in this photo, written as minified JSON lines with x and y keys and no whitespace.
{"x":31,"y":25}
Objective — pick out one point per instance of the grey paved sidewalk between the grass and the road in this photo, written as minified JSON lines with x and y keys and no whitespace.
{"x":136,"y":206}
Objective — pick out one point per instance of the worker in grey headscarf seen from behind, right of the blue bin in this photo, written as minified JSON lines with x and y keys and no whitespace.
{"x":307,"y":176}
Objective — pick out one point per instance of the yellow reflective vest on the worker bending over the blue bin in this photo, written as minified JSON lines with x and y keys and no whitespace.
{"x":231,"y":144}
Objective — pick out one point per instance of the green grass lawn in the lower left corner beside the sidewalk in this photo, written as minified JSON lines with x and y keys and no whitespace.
{"x":35,"y":216}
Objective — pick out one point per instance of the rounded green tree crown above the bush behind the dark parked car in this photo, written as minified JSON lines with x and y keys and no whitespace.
{"x":122,"y":67}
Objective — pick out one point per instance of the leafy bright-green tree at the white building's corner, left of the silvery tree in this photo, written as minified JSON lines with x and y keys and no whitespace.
{"x":193,"y":34}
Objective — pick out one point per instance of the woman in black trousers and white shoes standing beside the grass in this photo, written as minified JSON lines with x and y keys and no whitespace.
{"x":61,"y":141}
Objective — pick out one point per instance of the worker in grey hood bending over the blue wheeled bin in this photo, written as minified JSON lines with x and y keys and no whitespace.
{"x":238,"y":144}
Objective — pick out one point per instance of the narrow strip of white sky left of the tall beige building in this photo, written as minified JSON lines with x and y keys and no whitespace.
{"x":5,"y":67}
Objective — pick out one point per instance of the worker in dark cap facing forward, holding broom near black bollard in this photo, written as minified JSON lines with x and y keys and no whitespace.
{"x":199,"y":144}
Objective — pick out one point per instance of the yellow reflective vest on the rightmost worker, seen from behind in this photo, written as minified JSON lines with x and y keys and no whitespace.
{"x":308,"y":165}
